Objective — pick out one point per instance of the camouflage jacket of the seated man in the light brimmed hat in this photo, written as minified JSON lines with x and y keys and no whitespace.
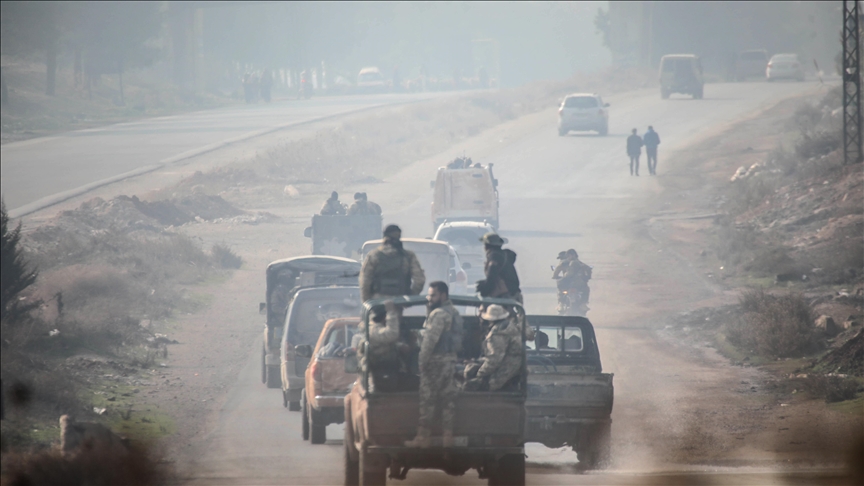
{"x":503,"y":354}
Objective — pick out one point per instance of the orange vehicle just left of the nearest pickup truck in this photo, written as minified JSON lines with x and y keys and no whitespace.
{"x":327,"y":383}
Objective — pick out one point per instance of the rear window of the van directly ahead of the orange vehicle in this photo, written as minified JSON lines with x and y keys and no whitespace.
{"x":307,"y":317}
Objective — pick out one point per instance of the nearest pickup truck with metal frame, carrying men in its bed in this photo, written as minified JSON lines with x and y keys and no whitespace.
{"x":488,"y":432}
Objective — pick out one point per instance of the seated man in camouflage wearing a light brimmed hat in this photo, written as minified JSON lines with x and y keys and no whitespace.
{"x":502,"y":352}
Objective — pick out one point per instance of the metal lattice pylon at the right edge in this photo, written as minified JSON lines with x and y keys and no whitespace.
{"x":851,"y":84}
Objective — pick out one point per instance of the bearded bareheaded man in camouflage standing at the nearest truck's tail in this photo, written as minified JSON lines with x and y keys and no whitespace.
{"x":442,"y":336}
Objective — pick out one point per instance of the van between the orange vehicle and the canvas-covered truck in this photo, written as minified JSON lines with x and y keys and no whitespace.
{"x":310,"y":309}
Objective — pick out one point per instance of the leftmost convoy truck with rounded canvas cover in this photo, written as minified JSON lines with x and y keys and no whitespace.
{"x":284,"y":279}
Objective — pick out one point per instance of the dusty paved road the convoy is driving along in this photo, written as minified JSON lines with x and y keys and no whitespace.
{"x":557,"y":192}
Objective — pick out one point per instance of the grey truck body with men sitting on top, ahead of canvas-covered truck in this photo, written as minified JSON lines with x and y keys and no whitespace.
{"x":342,"y":235}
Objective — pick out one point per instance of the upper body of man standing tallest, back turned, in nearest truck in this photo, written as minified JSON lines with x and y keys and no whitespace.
{"x":390,"y":270}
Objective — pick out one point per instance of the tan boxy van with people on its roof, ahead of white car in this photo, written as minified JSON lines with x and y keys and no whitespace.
{"x":465,"y":194}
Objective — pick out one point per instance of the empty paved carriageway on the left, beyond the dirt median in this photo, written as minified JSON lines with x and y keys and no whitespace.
{"x":41,"y":171}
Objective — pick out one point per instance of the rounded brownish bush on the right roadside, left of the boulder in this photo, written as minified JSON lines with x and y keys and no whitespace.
{"x":777,"y":326}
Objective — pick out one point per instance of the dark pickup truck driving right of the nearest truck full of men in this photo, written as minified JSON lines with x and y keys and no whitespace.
{"x":569,"y":397}
